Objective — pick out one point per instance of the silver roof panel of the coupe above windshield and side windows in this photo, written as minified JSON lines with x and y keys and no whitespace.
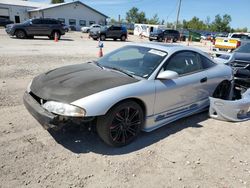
{"x":169,"y":48}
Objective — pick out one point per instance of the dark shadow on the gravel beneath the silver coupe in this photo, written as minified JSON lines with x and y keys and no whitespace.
{"x":79,"y":141}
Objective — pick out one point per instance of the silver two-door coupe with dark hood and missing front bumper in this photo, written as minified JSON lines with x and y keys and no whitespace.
{"x":136,"y":87}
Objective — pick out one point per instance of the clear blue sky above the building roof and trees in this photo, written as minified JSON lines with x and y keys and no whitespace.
{"x":166,"y":9}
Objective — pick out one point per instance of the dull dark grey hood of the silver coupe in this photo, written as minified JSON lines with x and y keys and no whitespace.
{"x":70,"y":83}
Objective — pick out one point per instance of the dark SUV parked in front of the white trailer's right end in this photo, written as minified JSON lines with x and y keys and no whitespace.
{"x":161,"y":35}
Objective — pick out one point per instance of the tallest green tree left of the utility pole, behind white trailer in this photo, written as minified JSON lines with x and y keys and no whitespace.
{"x":134,"y":16}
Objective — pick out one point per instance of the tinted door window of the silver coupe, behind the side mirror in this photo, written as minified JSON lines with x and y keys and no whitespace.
{"x":184,"y":63}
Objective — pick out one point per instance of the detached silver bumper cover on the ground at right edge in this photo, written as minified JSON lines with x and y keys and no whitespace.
{"x":227,"y":110}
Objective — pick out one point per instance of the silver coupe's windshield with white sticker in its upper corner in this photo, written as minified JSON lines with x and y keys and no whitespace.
{"x":135,"y":60}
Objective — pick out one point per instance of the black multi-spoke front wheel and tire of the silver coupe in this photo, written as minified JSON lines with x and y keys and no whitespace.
{"x":122,"y":124}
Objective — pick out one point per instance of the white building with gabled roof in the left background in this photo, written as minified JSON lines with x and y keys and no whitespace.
{"x":75,"y":13}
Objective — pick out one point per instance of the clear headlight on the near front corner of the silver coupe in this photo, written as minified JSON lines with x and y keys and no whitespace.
{"x":64,"y":109}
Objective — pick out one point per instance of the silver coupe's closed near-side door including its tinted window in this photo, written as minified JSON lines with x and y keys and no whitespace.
{"x":188,"y":91}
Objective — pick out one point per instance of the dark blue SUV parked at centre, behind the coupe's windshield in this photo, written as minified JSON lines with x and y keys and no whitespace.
{"x":113,"y":32}
